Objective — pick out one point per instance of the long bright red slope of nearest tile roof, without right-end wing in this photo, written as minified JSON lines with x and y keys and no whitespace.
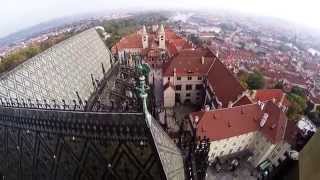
{"x":225,"y":123}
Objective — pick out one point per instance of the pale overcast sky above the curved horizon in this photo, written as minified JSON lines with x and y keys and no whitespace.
{"x":19,"y":14}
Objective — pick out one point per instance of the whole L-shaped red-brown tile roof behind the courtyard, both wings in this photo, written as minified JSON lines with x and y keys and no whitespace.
{"x":188,"y":62}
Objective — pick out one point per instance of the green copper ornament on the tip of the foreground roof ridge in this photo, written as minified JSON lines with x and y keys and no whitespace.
{"x":143,"y":95}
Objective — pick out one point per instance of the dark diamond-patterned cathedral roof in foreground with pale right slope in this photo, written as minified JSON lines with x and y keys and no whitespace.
{"x":106,"y":144}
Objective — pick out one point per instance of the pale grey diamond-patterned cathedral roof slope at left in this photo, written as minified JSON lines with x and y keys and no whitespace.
{"x":60,"y":71}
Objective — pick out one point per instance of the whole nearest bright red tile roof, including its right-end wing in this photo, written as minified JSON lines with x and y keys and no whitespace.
{"x":229,"y":122}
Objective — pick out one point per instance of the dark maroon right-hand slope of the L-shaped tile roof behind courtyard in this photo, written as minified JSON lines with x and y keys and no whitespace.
{"x":226,"y":87}
